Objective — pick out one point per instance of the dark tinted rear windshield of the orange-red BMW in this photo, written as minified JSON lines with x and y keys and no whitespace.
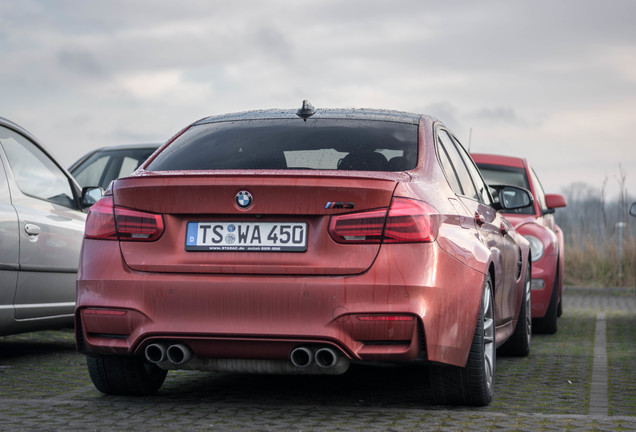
{"x":290,"y":144}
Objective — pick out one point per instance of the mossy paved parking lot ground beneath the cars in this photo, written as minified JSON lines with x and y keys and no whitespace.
{"x":581,"y":378}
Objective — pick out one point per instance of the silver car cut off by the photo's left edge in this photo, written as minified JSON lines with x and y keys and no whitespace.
{"x":41,"y":231}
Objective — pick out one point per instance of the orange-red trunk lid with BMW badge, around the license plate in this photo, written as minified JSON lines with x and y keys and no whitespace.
{"x":294,"y":204}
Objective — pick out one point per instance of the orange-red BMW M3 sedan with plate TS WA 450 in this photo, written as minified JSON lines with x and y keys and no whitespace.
{"x":301,"y":242}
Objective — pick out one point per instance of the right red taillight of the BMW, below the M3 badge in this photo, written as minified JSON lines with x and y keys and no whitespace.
{"x":407,"y":221}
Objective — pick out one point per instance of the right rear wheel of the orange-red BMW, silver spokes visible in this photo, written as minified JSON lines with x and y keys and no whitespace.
{"x":473,"y":384}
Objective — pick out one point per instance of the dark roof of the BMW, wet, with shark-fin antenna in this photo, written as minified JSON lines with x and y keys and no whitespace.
{"x":328,"y":113}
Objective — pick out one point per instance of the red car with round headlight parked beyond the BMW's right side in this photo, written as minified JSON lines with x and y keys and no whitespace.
{"x":535,"y":223}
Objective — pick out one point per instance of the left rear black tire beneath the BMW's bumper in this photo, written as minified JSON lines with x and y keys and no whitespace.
{"x":123,"y":375}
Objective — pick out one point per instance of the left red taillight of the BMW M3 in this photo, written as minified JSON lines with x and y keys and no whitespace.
{"x":105,"y":221}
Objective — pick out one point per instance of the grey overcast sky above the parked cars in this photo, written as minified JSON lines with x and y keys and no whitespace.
{"x":553,"y":81}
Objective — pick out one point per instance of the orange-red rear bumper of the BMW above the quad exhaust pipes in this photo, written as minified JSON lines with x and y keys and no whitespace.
{"x":419,"y":302}
